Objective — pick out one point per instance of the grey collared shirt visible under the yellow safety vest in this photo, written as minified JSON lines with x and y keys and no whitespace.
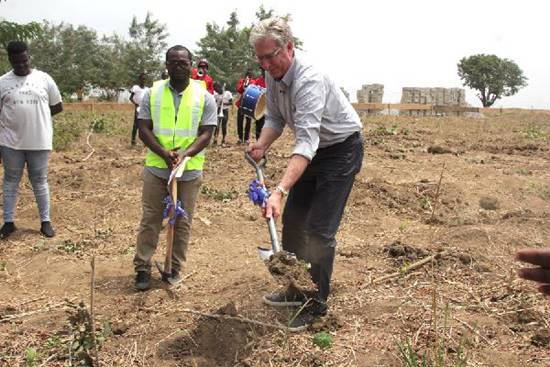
{"x":209,"y":117}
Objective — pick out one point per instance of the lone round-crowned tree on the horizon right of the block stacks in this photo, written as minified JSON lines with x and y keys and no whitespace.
{"x":491,"y":76}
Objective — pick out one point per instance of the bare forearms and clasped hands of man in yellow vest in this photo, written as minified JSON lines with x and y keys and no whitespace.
{"x":171,"y":157}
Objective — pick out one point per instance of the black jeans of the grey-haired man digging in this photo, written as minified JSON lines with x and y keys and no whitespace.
{"x":315,"y":206}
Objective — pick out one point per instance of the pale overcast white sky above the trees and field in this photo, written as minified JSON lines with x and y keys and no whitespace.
{"x":398,"y":43}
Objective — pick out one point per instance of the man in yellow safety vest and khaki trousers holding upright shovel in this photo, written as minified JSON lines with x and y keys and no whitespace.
{"x":176,"y":120}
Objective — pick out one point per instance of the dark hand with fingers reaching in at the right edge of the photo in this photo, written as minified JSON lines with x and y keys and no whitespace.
{"x":541,"y":272}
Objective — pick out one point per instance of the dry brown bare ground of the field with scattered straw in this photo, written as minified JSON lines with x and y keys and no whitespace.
{"x":493,"y":198}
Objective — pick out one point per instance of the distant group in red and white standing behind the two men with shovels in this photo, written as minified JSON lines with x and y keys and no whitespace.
{"x":223,"y":98}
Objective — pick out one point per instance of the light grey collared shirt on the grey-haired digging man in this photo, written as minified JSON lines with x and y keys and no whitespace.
{"x":313,"y":106}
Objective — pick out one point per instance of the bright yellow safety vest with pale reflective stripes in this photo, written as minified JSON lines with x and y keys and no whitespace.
{"x":174,"y":133}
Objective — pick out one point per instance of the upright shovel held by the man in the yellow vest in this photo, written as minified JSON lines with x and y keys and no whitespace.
{"x":166,"y":273}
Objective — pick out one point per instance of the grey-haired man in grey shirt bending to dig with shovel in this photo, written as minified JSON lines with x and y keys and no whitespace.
{"x":319,"y":176}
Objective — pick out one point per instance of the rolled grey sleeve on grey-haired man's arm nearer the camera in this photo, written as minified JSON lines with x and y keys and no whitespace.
{"x":310,"y":104}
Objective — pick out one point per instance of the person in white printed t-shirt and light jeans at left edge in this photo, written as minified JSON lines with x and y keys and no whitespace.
{"x":28,"y":100}
